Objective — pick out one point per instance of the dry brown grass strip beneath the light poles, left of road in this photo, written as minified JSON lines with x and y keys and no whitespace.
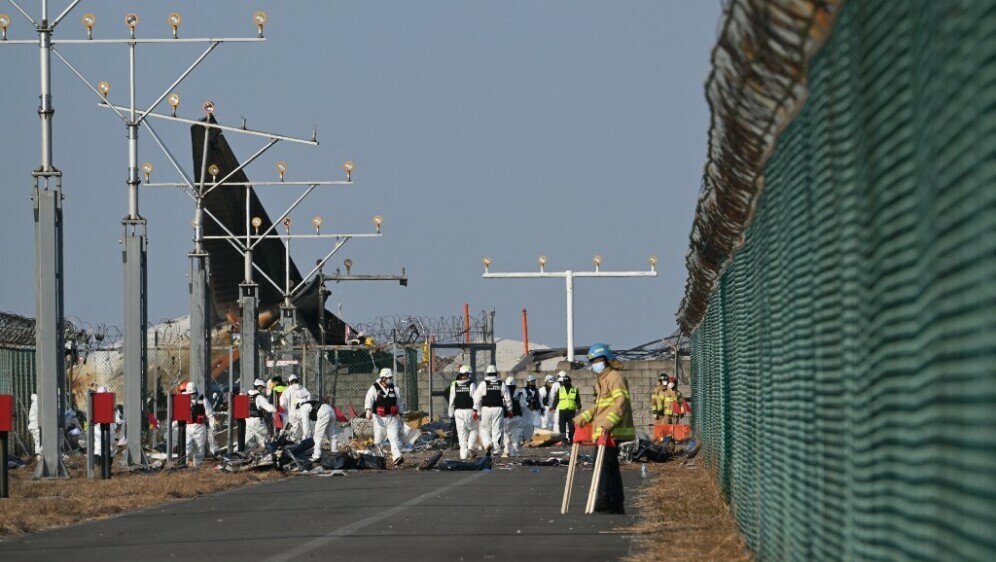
{"x":41,"y":504}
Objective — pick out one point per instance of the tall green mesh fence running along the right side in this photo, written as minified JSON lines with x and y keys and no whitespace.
{"x":845,"y":371}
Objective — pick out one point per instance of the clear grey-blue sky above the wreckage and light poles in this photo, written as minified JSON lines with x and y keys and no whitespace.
{"x":508,"y":129}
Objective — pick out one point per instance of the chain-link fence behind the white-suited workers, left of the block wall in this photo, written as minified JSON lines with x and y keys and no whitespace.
{"x":340,"y":375}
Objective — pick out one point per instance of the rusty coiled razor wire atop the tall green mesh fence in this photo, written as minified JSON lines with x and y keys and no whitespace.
{"x":766,"y":43}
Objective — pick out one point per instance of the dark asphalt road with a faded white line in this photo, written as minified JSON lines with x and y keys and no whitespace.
{"x":369,"y":516}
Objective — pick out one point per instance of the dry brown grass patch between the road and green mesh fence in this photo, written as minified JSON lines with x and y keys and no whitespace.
{"x":683,"y":517}
